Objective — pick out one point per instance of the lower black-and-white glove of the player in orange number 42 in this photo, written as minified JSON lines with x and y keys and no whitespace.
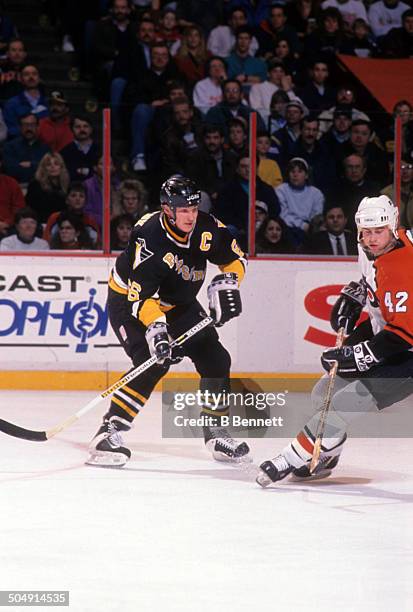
{"x":351,"y":359}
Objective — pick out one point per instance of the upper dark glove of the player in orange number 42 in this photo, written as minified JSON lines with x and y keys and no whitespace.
{"x":346,"y":311}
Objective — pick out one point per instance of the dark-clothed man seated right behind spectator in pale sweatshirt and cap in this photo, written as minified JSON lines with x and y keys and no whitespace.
{"x":323,"y":166}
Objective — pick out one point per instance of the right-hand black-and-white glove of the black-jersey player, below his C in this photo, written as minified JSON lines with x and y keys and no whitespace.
{"x":224,"y":298}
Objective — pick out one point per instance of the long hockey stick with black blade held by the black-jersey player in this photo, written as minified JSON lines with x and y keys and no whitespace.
{"x":42,"y":436}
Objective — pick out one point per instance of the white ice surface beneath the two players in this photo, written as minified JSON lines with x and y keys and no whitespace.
{"x":175,"y":531}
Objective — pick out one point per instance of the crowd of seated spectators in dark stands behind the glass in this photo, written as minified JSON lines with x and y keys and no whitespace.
{"x":182,"y":79}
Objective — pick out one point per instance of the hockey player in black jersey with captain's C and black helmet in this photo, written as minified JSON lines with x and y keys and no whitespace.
{"x":152,"y":298}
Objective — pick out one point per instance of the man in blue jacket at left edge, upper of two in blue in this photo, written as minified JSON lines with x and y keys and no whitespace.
{"x":30,"y":100}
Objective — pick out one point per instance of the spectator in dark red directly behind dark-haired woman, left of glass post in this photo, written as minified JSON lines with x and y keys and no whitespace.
{"x":75,"y":202}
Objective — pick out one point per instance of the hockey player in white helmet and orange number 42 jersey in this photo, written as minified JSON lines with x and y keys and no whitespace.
{"x":375,"y":365}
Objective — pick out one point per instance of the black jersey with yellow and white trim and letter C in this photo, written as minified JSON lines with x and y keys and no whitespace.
{"x":162,"y":267}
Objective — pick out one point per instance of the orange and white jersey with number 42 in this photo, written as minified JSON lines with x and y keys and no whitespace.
{"x":389,"y":280}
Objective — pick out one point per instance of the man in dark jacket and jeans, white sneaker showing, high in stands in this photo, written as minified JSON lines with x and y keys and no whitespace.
{"x":147,"y":95}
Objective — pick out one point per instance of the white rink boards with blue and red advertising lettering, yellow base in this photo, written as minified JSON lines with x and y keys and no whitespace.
{"x":54,"y":330}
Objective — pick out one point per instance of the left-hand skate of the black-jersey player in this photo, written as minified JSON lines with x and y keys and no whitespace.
{"x":106,"y":449}
